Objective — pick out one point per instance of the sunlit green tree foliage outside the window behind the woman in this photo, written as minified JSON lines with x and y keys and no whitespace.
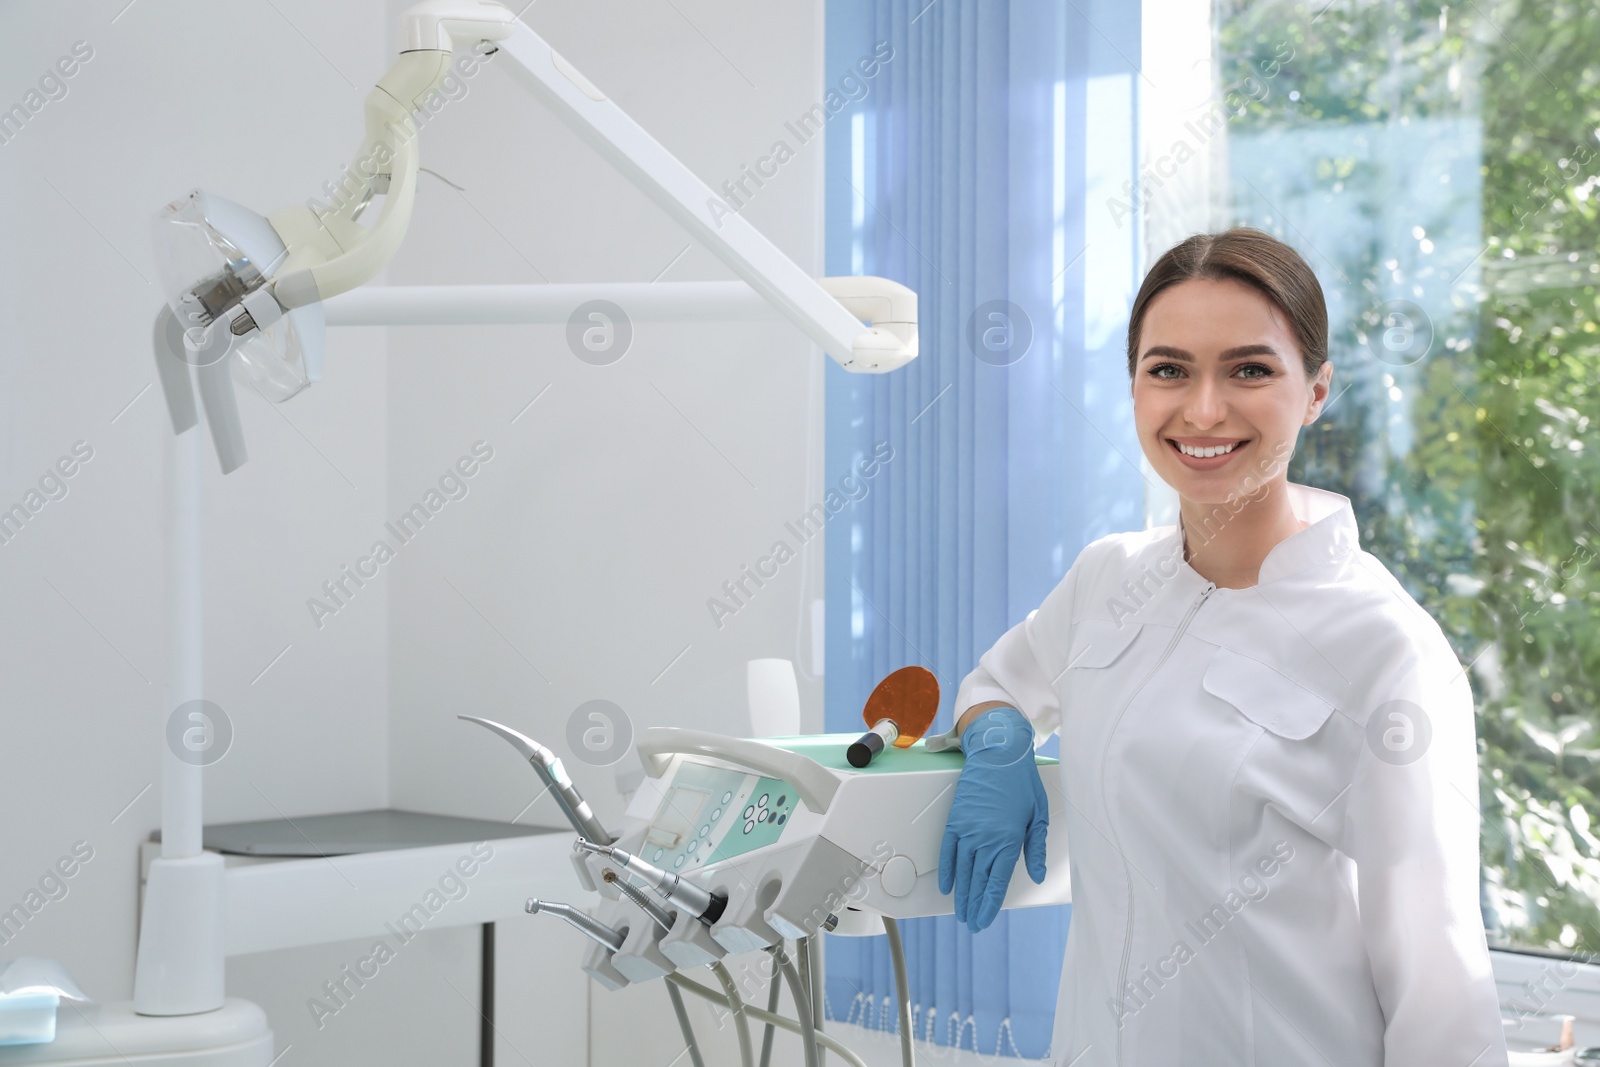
{"x":1489,"y":503}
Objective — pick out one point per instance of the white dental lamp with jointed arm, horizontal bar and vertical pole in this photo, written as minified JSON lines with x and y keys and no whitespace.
{"x":249,"y":298}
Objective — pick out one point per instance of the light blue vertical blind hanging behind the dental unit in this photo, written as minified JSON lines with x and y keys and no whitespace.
{"x":975,"y":153}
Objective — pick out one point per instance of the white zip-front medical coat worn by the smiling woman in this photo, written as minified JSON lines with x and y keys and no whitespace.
{"x":1273,"y":809}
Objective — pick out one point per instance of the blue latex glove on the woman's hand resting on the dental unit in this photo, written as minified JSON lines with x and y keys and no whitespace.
{"x":999,"y":810}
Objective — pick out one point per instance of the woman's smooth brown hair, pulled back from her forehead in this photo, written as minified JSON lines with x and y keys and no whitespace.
{"x":1260,"y":262}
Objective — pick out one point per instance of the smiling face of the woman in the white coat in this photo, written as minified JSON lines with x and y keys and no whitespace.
{"x":1220,"y":374}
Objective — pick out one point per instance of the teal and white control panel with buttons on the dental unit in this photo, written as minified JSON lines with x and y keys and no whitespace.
{"x":714,"y":813}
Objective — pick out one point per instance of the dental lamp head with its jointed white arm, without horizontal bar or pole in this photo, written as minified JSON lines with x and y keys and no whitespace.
{"x":263,"y":282}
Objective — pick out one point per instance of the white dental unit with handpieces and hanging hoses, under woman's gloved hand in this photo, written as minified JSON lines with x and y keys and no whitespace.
{"x":735,"y":847}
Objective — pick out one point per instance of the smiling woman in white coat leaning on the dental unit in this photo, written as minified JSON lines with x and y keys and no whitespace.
{"x":1268,"y":756}
